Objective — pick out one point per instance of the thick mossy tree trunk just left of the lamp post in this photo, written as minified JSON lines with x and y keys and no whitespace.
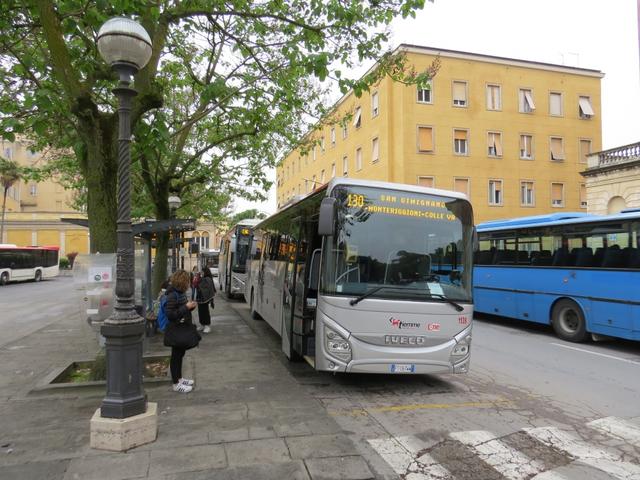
{"x":100,"y":170}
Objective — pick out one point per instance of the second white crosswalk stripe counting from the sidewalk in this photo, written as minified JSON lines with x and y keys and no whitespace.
{"x":506,"y":460}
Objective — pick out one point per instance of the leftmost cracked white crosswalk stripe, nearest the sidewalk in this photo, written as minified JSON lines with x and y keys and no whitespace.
{"x":400,"y":454}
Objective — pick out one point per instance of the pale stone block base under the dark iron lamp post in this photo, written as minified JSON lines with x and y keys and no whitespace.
{"x":121,"y":434}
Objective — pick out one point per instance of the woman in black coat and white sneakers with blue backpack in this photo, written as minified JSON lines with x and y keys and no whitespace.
{"x":180,"y":332}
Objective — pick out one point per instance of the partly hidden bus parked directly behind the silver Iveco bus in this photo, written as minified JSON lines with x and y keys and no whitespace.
{"x":234,"y":251}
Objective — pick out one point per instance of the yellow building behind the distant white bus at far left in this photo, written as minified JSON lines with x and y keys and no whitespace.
{"x":34,"y":210}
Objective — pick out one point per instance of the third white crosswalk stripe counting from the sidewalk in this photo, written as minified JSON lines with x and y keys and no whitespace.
{"x":593,"y":456}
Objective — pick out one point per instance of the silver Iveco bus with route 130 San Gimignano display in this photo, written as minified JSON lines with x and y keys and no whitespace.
{"x":364,"y":276}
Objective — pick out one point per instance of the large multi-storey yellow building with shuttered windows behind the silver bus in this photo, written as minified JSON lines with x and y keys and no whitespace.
{"x":512,"y":134}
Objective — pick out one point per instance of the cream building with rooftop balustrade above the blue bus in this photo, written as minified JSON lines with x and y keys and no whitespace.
{"x":613,"y":180}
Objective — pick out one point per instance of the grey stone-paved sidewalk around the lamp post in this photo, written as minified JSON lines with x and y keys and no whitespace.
{"x":248,"y":418}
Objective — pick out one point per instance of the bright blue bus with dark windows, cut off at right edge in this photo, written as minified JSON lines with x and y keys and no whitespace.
{"x":578,"y":272}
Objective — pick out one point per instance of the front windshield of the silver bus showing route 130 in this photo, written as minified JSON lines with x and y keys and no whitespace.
{"x":414,"y":245}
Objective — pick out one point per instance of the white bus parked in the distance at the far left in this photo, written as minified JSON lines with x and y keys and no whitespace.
{"x":27,"y":263}
